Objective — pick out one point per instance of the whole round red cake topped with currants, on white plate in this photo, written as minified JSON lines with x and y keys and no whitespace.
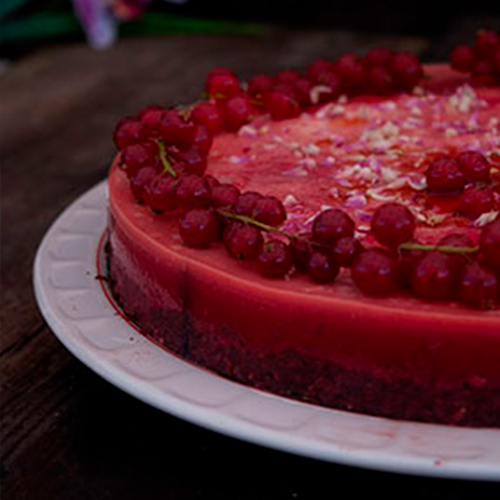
{"x":331,"y":331}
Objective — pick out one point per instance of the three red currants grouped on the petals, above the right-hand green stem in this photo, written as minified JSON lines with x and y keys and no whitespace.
{"x":467,"y":175}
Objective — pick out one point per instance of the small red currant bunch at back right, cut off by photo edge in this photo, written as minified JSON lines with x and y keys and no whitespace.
{"x":482,"y":60}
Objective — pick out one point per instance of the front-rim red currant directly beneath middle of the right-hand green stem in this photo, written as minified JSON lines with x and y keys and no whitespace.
{"x":433,"y":278}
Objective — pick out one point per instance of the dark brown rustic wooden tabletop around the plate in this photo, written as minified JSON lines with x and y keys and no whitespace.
{"x":66,"y":433}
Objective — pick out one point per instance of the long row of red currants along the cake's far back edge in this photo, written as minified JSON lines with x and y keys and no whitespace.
{"x":381,"y":71}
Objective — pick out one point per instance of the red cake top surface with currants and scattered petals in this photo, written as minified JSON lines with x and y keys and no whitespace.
{"x":371,"y":164}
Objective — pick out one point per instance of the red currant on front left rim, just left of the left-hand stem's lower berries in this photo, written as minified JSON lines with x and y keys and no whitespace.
{"x":199,"y":228}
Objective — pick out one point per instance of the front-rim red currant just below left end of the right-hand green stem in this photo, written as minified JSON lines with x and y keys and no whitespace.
{"x":375,"y":272}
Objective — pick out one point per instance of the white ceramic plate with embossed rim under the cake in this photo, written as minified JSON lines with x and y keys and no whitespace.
{"x":78,"y":310}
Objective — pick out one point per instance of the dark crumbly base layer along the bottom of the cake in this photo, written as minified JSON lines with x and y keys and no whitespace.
{"x":379,"y":392}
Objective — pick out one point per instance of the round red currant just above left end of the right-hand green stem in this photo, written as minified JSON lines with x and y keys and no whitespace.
{"x":393,"y":224}
